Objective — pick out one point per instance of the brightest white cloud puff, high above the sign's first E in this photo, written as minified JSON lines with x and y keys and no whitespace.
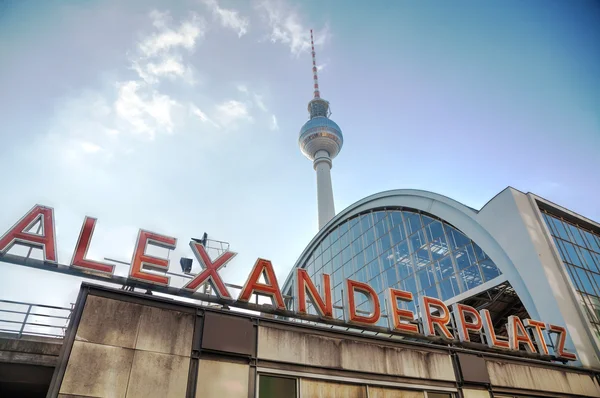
{"x":144,"y":109}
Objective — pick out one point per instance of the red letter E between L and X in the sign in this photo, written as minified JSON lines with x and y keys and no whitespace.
{"x":142,"y":261}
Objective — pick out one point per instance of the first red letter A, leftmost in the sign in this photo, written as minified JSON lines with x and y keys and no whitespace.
{"x":18,"y":233}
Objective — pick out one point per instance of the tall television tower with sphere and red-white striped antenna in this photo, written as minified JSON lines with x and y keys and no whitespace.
{"x":321,"y":140}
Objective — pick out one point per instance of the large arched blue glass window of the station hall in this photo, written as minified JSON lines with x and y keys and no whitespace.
{"x":404,"y":249}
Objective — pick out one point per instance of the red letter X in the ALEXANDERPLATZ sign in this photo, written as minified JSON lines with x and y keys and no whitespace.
{"x":210,"y":272}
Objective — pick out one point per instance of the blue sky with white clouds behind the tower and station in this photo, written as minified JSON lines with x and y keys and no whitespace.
{"x":183,"y":117}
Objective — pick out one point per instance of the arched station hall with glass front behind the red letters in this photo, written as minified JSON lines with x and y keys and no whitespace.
{"x":545,"y":258}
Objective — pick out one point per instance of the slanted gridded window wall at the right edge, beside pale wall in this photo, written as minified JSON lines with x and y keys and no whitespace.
{"x":579,"y":249}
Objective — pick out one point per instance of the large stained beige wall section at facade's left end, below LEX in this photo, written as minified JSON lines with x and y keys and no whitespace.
{"x":123,"y":349}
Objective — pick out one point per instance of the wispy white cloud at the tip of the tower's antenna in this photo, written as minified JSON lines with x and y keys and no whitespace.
{"x":287,"y":29}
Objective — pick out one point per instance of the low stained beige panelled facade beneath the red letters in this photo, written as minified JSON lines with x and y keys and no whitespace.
{"x":124,"y":344}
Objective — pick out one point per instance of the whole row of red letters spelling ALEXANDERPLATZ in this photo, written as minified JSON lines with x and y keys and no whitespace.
{"x":436,"y":319}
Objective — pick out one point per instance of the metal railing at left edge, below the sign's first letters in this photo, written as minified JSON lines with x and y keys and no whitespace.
{"x":19,"y":319}
